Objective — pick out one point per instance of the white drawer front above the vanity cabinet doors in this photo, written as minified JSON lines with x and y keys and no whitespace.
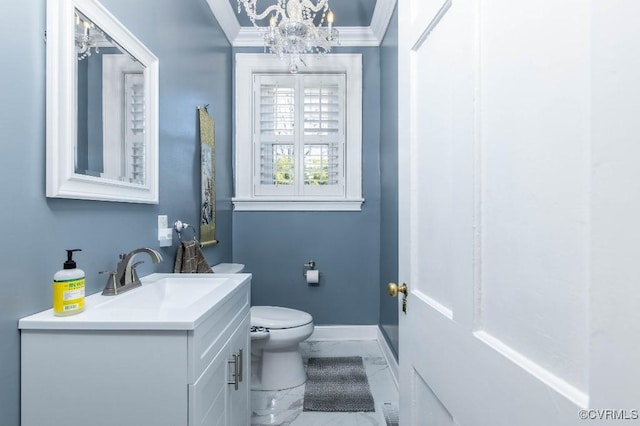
{"x":206,"y":341}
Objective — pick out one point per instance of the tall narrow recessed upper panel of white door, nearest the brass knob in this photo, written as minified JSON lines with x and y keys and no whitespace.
{"x":434,"y":251}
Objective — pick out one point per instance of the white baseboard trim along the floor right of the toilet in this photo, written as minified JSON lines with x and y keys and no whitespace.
{"x":358,"y":332}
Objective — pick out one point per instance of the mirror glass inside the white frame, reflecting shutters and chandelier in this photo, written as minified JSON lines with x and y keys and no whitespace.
{"x":110,"y":88}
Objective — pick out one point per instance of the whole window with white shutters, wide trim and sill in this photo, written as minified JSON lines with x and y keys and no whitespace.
{"x":298,"y":136}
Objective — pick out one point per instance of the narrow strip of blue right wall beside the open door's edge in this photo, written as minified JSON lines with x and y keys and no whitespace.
{"x":389,"y":180}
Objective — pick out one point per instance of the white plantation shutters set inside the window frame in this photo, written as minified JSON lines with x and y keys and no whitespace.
{"x":299,"y":134}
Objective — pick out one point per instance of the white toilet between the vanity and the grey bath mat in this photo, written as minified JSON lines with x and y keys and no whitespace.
{"x":276,"y":333}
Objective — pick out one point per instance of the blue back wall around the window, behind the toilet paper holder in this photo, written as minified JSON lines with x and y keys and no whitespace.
{"x":345,"y":245}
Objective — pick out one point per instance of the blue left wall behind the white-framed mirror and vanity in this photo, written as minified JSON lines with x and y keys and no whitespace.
{"x":195,"y":69}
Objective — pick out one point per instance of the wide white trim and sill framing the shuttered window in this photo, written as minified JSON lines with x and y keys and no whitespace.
{"x":248,"y":64}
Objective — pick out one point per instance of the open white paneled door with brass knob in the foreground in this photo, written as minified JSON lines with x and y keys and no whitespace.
{"x":494,"y":218}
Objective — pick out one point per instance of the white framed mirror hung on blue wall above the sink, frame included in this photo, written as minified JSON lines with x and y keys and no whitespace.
{"x":102,"y":107}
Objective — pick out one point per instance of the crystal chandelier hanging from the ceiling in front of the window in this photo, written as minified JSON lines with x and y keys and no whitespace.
{"x":296,"y":28}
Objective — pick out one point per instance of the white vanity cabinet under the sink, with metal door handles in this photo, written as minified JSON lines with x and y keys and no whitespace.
{"x":88,"y":372}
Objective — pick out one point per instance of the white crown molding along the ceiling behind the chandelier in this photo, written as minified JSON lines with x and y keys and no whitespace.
{"x":370,"y":36}
